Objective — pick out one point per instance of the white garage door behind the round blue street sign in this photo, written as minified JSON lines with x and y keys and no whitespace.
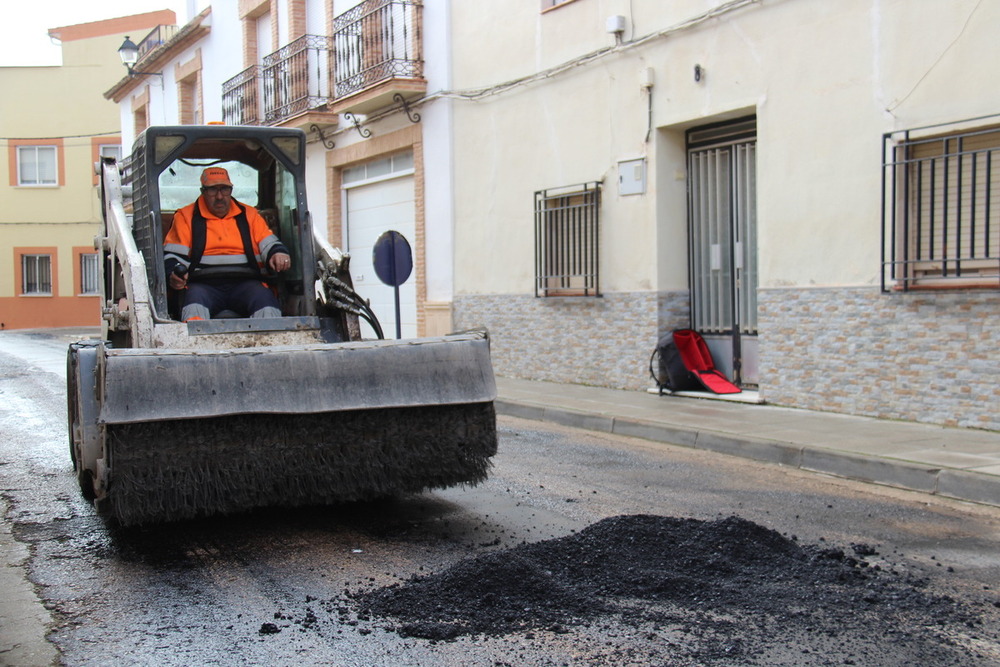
{"x":378,"y":197}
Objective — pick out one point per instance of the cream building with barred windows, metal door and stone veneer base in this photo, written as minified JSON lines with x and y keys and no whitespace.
{"x":812,"y":185}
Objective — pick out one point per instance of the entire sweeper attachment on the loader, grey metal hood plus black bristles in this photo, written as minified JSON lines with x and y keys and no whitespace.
{"x":179,"y":434}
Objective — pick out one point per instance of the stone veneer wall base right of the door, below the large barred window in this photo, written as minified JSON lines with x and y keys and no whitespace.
{"x":920,"y":356}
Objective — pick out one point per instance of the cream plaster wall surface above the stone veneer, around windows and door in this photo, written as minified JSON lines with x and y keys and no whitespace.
{"x":825,"y":79}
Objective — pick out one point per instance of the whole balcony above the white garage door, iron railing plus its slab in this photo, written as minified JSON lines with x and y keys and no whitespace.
{"x":379,"y":54}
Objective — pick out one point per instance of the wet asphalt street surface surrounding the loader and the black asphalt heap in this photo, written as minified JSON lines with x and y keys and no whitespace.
{"x":268,"y":588}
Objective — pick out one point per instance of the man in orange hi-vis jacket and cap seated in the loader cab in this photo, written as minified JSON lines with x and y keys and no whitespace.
{"x":216,"y":251}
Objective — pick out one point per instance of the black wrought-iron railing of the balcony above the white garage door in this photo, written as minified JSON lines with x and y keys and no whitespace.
{"x":376,"y":41}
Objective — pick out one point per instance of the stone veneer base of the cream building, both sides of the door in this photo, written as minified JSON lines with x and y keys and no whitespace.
{"x":922,"y":356}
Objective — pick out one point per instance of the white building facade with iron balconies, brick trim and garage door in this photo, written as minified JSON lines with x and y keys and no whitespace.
{"x":350,"y":74}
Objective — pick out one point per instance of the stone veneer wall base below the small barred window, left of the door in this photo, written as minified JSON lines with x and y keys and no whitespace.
{"x":604,"y":342}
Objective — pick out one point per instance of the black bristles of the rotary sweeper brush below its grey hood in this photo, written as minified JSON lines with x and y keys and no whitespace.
{"x":165,"y":471}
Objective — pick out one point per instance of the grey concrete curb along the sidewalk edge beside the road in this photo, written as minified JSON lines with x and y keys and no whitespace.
{"x":897,"y":473}
